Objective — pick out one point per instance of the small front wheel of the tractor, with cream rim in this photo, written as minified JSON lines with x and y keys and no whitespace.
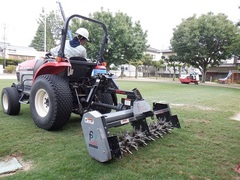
{"x":10,"y":101}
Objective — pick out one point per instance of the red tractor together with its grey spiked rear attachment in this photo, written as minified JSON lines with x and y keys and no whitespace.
{"x":55,"y":88}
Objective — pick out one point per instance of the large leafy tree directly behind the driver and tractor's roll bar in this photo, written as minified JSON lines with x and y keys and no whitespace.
{"x":127,"y":40}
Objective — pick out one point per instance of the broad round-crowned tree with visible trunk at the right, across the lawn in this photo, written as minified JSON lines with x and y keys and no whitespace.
{"x":204,"y":41}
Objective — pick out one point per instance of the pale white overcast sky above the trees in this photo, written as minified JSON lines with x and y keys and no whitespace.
{"x":19,"y":17}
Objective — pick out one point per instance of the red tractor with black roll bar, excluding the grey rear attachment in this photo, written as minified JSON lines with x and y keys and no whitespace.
{"x":55,"y":88}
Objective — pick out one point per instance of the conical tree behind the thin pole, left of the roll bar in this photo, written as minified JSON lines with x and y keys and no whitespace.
{"x":53,"y":24}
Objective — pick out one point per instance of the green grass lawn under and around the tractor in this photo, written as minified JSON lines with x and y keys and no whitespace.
{"x":207,"y":146}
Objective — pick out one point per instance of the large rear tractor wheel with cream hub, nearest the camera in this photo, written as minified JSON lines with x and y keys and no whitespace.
{"x":50,"y":102}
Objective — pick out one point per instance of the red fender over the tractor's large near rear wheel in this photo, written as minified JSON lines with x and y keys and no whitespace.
{"x":52,"y":67}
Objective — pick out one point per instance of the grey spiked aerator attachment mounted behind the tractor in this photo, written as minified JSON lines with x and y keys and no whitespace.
{"x":103,"y":146}
